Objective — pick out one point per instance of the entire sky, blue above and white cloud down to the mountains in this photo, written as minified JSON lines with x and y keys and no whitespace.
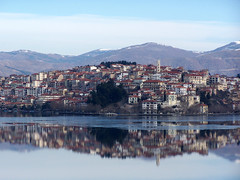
{"x":73,"y":27}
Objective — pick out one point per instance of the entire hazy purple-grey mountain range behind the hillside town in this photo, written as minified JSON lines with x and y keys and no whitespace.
{"x":223,"y":60}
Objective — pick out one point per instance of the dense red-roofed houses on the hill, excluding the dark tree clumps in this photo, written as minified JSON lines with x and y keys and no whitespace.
{"x":152,"y":87}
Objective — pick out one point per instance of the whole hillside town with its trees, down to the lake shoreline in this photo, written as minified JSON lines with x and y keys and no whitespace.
{"x":149,"y":90}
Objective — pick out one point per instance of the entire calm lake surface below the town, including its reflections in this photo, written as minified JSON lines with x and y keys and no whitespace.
{"x":85,"y":147}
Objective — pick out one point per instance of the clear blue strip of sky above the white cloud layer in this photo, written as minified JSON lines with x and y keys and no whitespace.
{"x":194,"y":10}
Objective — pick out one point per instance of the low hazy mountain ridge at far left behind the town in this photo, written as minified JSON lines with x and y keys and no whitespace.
{"x":27,"y":62}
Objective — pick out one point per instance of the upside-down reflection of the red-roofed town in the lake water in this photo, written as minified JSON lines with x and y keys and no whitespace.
{"x":111,"y":142}
